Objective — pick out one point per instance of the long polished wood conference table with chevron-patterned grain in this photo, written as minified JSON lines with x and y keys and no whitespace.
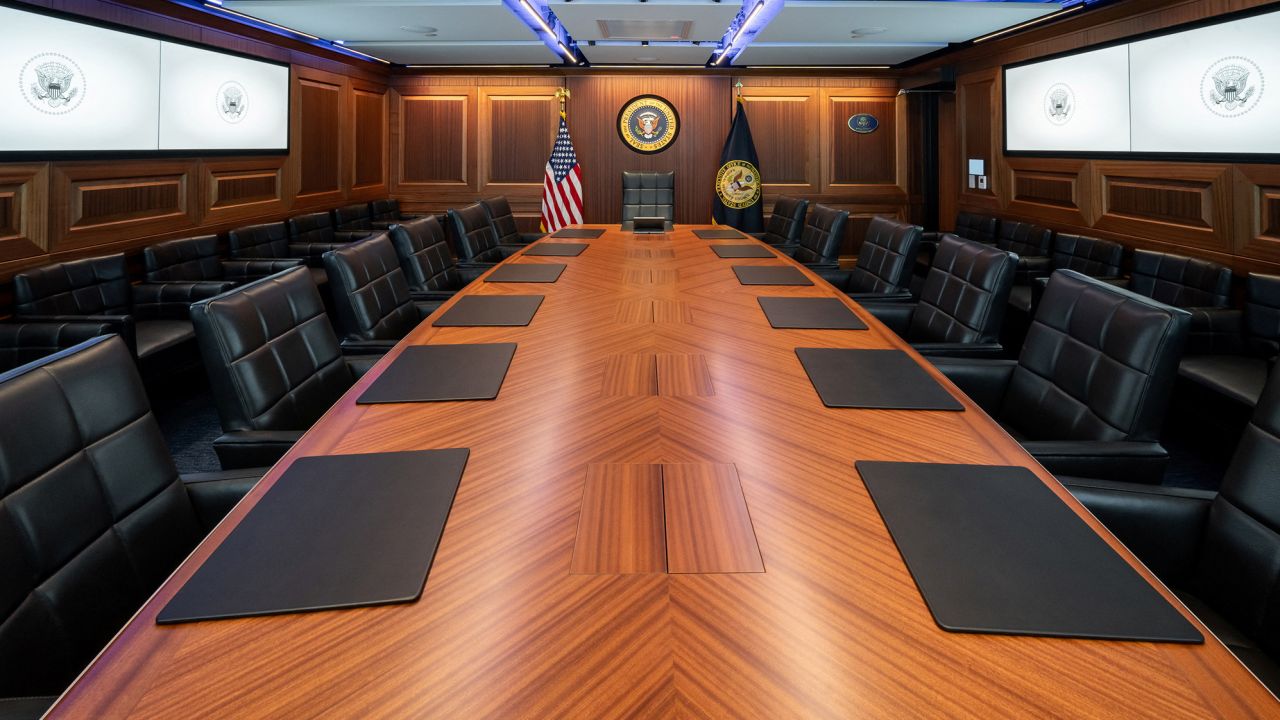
{"x":659,"y":520}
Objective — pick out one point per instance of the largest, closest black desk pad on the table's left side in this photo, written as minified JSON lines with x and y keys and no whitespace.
{"x":333,"y":532}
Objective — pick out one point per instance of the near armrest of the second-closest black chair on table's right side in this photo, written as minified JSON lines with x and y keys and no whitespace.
{"x":1110,"y":461}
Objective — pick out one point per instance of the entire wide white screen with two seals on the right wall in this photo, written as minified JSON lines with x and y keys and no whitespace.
{"x":1200,"y":92}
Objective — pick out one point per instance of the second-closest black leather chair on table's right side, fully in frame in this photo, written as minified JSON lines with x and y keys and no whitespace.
{"x":1089,"y":394}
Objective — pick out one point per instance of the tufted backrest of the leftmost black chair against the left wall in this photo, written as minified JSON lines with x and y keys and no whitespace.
{"x":94,"y":286}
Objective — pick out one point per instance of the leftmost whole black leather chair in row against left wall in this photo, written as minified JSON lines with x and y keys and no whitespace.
{"x":152,"y":318}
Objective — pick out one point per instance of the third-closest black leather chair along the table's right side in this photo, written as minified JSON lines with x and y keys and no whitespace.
{"x":962,"y":306}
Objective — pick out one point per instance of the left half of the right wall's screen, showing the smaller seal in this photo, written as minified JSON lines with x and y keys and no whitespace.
{"x":1080,"y":103}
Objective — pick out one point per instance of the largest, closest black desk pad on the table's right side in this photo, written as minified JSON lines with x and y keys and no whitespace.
{"x":994,"y":550}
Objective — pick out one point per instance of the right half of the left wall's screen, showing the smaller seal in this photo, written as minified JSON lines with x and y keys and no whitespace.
{"x":218,"y":102}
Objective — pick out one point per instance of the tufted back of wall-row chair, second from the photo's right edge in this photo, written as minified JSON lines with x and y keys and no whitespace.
{"x":1178,"y":281}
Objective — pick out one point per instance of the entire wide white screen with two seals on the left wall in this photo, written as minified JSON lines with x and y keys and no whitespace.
{"x":77,"y":88}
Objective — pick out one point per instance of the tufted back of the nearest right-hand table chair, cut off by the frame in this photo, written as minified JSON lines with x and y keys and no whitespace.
{"x":1238,"y":572}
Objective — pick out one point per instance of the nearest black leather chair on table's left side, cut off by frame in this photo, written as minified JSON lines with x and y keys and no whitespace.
{"x":94,"y":516}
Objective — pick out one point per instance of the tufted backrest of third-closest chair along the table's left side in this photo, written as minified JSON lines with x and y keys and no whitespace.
{"x":371,"y":294}
